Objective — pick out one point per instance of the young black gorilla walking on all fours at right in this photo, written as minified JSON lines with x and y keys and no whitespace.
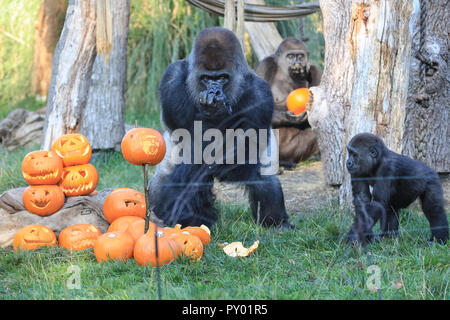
{"x":384,"y":182}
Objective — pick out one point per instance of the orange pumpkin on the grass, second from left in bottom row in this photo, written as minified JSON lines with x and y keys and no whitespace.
{"x":78,"y":236}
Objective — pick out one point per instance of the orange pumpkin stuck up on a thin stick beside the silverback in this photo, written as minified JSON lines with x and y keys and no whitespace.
{"x":143,"y":145}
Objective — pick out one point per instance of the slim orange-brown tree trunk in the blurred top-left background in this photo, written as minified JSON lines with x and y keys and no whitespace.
{"x":49,"y":24}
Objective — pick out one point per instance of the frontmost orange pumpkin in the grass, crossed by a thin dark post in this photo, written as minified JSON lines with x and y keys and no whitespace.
{"x":144,"y":249}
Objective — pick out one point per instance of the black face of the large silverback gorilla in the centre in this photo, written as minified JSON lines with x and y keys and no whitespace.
{"x":214,"y":85}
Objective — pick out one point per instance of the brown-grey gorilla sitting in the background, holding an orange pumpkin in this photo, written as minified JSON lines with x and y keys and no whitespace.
{"x":286,"y":70}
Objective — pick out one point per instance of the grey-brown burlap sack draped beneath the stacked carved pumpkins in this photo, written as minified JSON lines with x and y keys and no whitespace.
{"x":76,"y":210}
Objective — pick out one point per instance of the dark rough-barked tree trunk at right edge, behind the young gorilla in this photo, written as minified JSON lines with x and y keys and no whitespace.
{"x":427,"y":134}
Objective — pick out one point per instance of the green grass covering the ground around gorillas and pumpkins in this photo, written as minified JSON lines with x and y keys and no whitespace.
{"x":311,"y":262}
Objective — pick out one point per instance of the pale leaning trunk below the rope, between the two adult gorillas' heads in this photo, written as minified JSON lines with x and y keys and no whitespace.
{"x":264,"y":36}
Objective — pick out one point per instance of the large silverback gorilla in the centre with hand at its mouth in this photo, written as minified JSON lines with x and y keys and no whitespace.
{"x":214,"y":85}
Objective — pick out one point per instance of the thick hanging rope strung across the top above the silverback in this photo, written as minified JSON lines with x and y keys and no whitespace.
{"x":260,"y":13}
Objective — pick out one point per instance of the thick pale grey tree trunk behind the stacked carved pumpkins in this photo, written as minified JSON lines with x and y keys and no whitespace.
{"x":85,"y":96}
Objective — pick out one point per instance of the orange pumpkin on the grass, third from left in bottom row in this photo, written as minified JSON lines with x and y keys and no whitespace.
{"x":114,"y":246}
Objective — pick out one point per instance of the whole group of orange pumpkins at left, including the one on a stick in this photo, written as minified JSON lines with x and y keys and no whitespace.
{"x":65,"y":171}
